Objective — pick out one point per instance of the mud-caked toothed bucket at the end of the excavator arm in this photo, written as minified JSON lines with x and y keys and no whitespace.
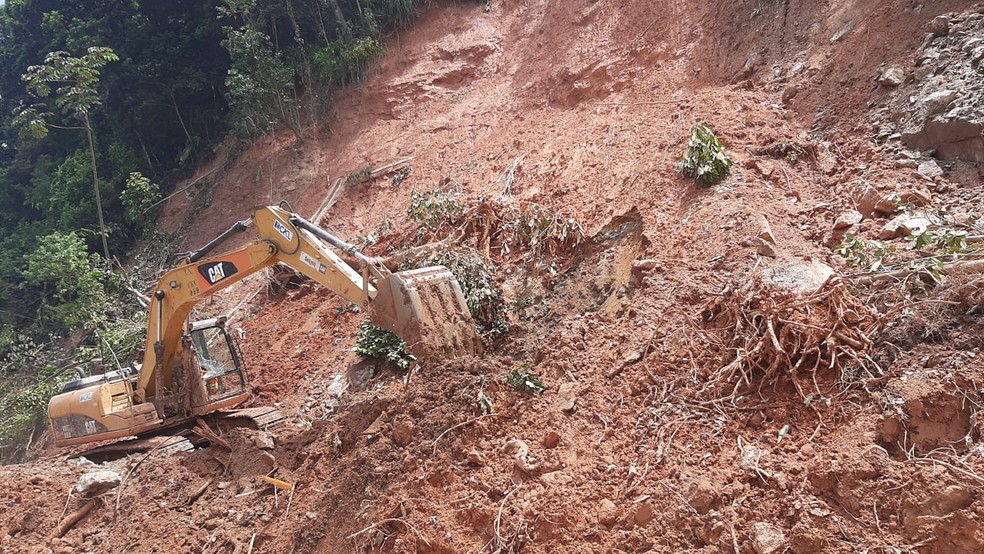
{"x":425,"y":308}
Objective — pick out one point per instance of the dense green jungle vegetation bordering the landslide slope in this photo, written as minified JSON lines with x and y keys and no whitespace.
{"x":105,"y":104}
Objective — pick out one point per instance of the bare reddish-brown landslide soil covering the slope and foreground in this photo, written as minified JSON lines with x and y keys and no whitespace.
{"x":642,"y":442}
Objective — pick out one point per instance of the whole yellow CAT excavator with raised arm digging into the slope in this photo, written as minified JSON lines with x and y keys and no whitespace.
{"x":191,"y":369}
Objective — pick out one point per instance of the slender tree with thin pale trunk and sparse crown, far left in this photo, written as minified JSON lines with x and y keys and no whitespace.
{"x":74,"y":81}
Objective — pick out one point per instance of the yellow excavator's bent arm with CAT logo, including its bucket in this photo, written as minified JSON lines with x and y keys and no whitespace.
{"x":424,"y":307}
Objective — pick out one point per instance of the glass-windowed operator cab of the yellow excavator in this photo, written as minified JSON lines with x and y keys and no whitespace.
{"x":219,"y":360}
